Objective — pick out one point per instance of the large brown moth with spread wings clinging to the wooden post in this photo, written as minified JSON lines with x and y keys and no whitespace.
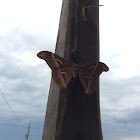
{"x":63,"y":71}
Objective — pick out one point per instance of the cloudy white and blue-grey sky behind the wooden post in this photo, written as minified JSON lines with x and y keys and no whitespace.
{"x":28,"y":27}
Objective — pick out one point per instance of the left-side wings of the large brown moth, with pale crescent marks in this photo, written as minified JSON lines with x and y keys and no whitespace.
{"x":61,"y":69}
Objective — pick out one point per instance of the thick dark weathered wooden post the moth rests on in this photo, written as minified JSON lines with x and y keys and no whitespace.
{"x":71,"y":114}
